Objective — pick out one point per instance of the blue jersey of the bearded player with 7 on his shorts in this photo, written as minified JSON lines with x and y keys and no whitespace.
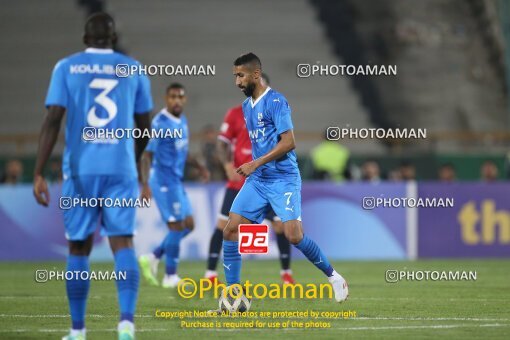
{"x":266,"y":119}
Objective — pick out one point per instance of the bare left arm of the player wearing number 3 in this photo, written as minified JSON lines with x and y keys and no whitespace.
{"x":47,"y":140}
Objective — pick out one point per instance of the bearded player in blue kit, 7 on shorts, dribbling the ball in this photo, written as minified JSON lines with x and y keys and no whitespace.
{"x":273,"y":178}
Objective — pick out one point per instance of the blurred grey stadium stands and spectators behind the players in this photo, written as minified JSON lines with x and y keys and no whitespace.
{"x":453,"y":75}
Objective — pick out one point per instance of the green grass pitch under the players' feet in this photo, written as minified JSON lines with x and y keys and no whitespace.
{"x":425,"y":309}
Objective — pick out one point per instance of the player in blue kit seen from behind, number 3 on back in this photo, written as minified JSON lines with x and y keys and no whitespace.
{"x":84,"y":86}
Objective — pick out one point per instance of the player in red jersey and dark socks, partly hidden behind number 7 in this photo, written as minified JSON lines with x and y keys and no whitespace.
{"x":234,"y":148}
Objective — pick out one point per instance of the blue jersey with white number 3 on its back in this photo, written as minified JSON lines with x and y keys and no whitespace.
{"x":86,"y":85}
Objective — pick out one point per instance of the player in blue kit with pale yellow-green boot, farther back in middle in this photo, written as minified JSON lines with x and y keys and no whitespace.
{"x":168,"y":158}
